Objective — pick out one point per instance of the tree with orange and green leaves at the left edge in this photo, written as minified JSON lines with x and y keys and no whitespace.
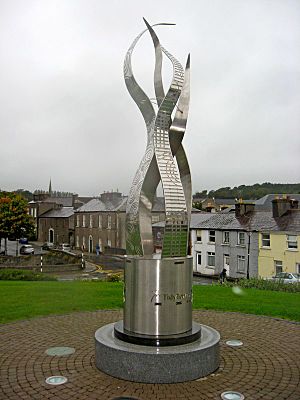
{"x":14,"y":218}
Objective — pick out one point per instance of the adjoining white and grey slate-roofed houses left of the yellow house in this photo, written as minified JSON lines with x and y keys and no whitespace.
{"x":224,"y":240}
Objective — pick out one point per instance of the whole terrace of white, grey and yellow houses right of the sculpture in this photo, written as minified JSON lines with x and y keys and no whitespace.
{"x":246,"y":242}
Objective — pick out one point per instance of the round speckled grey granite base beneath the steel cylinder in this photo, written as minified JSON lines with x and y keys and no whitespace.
{"x":149,"y":364}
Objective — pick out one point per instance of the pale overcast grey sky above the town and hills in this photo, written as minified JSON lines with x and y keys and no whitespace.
{"x":65,"y":112}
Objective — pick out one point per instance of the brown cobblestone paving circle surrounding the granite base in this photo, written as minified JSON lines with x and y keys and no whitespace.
{"x":266,"y":367}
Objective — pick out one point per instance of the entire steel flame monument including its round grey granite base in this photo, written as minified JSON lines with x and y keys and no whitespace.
{"x":157,"y":341}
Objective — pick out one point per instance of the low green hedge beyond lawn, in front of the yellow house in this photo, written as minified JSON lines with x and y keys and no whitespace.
{"x":259,"y":283}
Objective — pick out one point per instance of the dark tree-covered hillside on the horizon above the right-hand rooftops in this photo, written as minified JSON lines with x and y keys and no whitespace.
{"x":251,"y":192}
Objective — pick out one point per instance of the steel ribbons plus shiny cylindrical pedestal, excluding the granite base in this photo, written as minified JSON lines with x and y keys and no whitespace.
{"x":158,"y":292}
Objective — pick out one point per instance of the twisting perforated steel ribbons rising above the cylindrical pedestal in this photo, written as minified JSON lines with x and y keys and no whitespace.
{"x":164,"y":158}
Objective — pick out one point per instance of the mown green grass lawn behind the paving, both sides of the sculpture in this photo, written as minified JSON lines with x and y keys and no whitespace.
{"x":23,"y":299}
